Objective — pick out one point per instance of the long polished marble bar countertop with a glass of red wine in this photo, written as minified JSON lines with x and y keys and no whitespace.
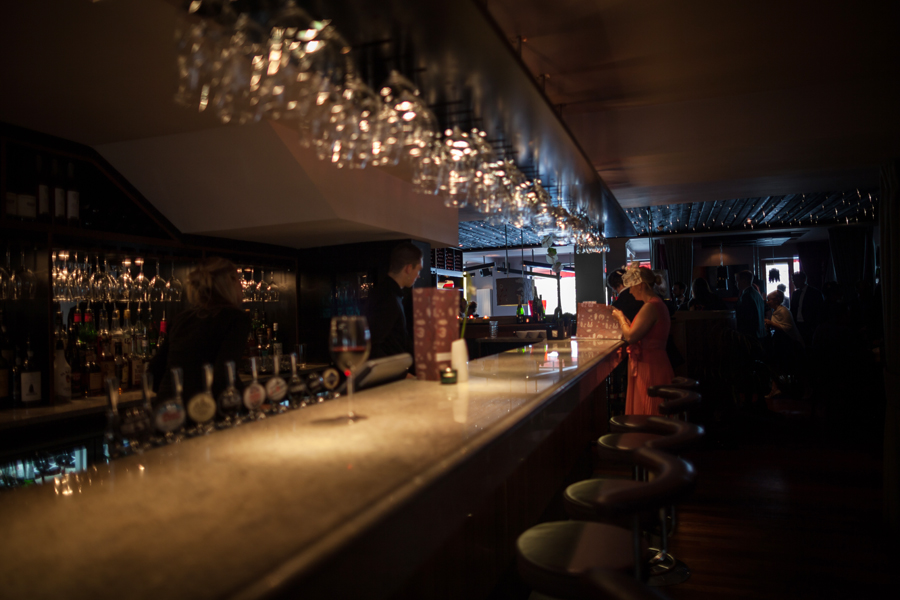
{"x":233,"y":513}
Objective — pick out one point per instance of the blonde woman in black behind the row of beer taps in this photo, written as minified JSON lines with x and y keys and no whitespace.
{"x":213,"y":330}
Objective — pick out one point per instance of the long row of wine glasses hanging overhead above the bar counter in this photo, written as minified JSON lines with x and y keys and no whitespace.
{"x":301,"y":70}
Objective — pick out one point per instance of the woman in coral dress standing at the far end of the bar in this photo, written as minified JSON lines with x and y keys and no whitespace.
{"x":648,"y":364}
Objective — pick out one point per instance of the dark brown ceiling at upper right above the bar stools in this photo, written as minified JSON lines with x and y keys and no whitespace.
{"x":703,"y":100}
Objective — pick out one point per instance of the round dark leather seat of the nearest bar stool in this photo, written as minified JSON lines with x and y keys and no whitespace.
{"x":553,"y":556}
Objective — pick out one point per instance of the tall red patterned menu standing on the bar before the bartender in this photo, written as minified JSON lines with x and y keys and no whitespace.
{"x":435,"y":327}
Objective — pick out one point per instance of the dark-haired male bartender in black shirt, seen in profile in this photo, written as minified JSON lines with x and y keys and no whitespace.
{"x":387,"y":319}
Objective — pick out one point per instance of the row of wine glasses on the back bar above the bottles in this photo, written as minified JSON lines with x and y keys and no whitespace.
{"x":82,"y":277}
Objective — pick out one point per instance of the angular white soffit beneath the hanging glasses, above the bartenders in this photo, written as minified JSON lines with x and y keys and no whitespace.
{"x":257,"y":183}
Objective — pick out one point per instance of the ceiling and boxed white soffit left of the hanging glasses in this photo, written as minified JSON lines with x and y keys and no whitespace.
{"x":107,"y":78}
